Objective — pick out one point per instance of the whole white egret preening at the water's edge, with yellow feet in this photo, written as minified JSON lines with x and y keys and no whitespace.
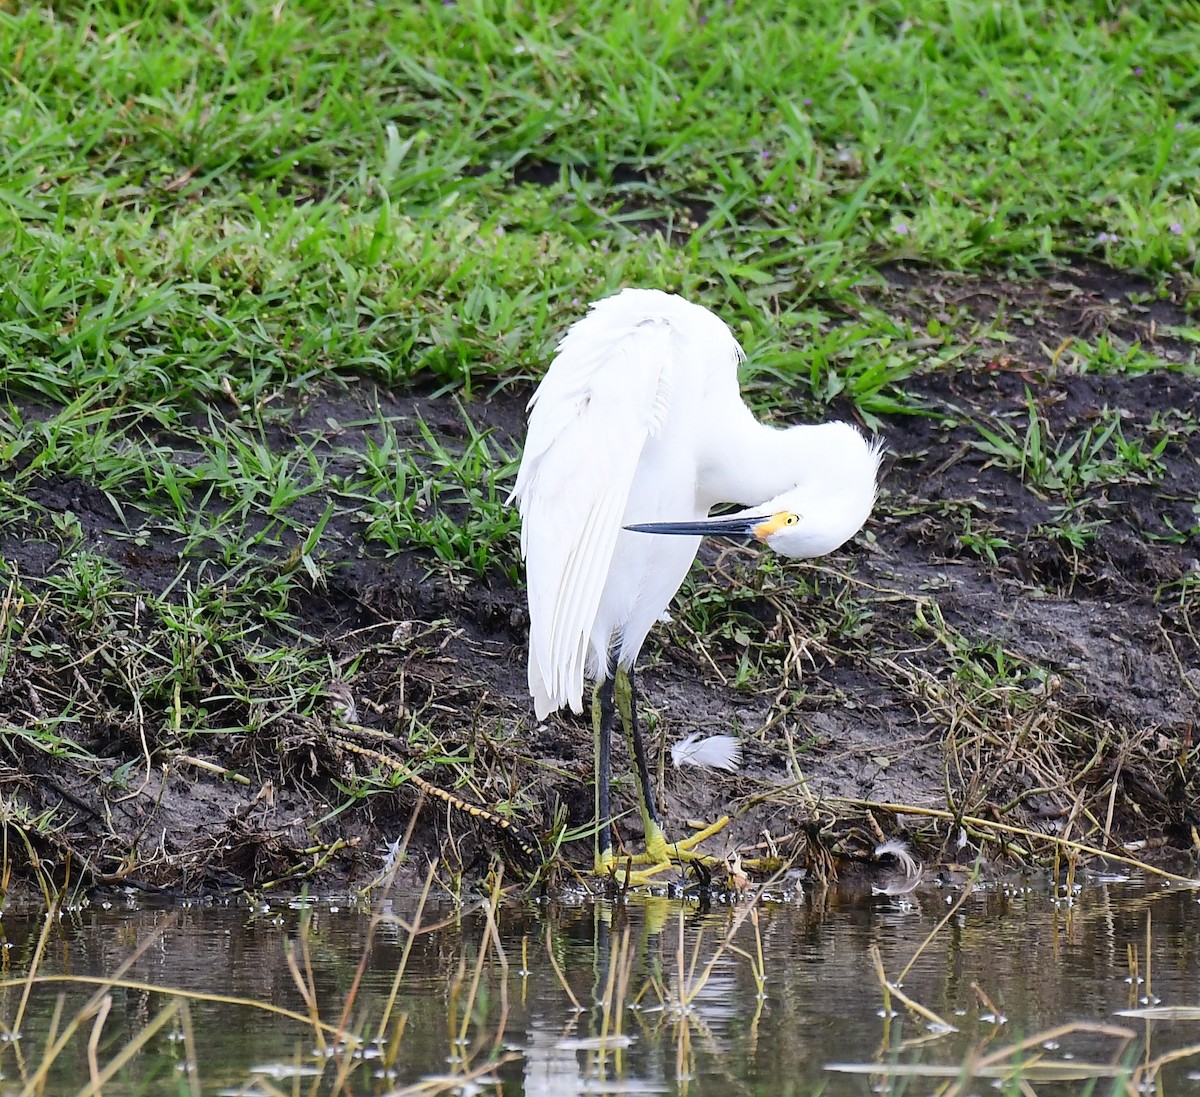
{"x":638,"y":429}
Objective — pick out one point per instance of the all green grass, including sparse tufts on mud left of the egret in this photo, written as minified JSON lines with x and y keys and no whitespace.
{"x":213,"y":215}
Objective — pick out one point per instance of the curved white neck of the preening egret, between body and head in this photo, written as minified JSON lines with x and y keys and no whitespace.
{"x":748,"y":461}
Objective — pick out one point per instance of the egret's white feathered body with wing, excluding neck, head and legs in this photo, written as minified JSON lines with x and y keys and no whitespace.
{"x":613,"y":440}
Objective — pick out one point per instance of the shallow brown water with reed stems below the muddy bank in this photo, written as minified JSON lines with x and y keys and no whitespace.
{"x":515,"y":1005}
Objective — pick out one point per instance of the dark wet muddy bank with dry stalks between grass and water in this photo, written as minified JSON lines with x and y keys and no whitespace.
{"x":1001,"y":645}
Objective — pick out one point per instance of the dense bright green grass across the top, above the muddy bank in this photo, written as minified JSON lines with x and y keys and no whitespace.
{"x":271,"y":195}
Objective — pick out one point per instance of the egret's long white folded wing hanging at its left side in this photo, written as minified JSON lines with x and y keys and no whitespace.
{"x":604,"y":395}
